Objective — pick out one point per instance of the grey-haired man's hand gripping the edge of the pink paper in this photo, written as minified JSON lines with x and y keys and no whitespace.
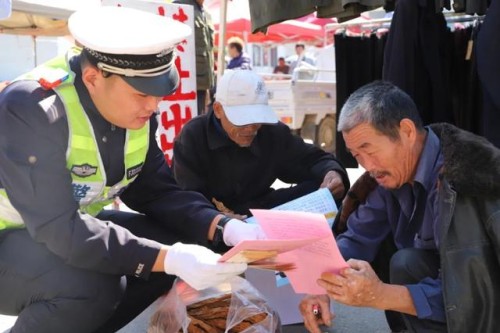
{"x":356,"y":286}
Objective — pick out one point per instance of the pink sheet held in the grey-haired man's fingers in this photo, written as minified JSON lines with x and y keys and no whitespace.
{"x":310,"y":260}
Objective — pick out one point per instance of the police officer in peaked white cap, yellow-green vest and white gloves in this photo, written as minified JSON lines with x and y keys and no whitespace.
{"x":74,"y":134}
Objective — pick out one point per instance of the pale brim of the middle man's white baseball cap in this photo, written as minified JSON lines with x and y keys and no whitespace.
{"x":241,"y":115}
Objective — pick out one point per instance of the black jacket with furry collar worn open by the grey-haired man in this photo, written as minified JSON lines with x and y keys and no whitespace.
{"x":469,"y":208}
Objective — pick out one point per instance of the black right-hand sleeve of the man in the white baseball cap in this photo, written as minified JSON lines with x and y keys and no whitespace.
{"x":301,"y":161}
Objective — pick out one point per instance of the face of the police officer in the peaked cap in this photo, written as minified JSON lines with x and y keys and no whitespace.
{"x":117,"y":101}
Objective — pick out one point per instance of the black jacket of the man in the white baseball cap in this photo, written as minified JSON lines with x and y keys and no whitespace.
{"x":208,"y":161}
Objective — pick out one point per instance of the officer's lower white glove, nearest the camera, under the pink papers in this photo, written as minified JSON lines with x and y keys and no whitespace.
{"x":199,"y":266}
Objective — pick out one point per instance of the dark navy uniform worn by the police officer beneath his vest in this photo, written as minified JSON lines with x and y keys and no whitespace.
{"x":66,"y":260}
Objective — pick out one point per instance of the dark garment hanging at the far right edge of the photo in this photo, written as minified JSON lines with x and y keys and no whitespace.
{"x":488,"y":64}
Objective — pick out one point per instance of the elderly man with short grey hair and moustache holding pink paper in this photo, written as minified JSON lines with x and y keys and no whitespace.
{"x":438,"y":195}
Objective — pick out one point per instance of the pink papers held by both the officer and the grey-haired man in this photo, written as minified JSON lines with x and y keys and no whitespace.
{"x":302,"y":239}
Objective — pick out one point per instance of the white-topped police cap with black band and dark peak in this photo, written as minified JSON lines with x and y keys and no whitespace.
{"x":132,"y":43}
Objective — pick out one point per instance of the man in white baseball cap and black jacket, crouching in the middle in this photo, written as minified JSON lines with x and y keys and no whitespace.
{"x":235,"y":153}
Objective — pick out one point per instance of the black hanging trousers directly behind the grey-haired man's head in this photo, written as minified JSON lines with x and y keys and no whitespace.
{"x":358,"y":61}
